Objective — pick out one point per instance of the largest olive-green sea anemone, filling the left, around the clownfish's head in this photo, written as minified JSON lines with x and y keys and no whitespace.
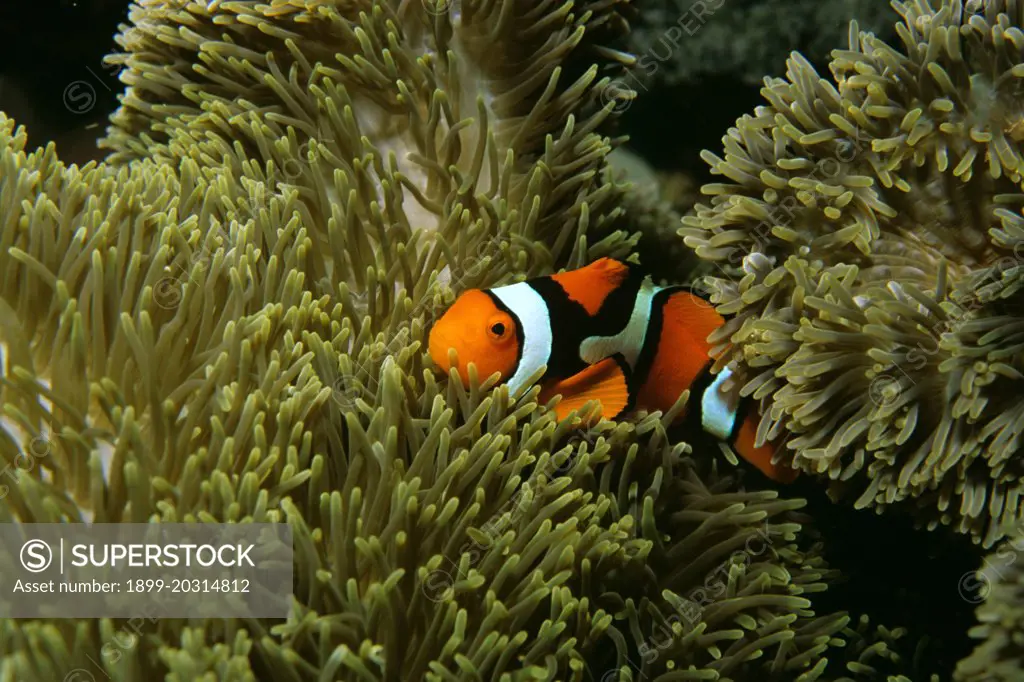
{"x":226,"y":322}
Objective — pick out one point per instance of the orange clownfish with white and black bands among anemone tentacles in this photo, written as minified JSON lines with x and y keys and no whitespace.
{"x":606,"y":333}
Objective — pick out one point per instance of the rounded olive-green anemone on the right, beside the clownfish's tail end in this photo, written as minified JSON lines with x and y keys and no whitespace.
{"x":867,"y":237}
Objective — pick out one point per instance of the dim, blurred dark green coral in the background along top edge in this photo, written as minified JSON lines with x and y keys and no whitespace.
{"x":682,"y":41}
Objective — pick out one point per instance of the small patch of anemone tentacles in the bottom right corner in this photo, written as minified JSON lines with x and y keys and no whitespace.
{"x":999,"y":586}
